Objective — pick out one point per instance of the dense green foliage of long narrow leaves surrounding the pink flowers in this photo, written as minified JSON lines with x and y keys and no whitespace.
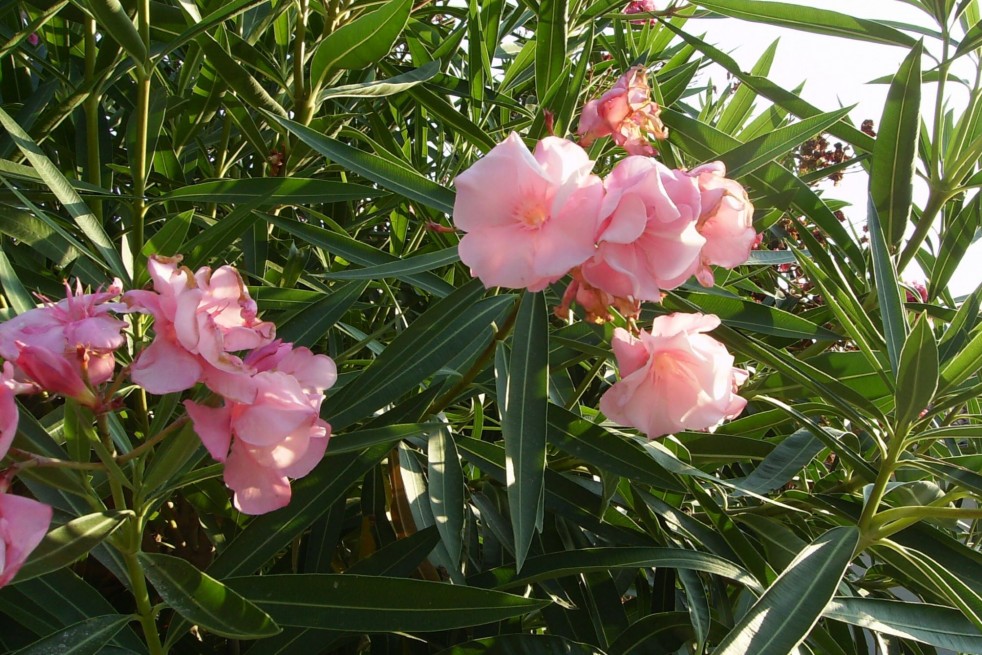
{"x":313,"y":144}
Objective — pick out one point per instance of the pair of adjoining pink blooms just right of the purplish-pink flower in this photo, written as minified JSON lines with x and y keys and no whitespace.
{"x":268,"y":428}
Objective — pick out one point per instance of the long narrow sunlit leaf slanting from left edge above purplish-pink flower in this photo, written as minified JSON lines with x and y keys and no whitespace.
{"x":67,"y":196}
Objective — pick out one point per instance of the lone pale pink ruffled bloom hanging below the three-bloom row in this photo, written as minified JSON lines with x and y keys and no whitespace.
{"x":673,"y":378}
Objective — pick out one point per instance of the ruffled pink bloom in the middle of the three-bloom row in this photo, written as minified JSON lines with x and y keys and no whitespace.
{"x":648,"y":239}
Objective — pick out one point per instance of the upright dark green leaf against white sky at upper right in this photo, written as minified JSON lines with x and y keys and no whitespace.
{"x":891,"y":183}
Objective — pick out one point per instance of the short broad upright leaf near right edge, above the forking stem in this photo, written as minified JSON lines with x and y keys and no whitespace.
{"x":917,"y":378}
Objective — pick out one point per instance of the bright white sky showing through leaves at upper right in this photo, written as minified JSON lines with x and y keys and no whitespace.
{"x":837,"y":72}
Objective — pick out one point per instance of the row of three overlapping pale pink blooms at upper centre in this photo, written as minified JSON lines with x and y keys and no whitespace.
{"x":531,"y":218}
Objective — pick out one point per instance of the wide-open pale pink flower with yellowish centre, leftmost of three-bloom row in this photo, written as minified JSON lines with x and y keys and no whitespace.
{"x":529,"y":218}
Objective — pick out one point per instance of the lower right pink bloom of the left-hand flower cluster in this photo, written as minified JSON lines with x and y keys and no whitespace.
{"x":278,"y":435}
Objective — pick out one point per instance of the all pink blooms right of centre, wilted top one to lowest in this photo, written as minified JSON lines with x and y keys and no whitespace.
{"x":531,"y":218}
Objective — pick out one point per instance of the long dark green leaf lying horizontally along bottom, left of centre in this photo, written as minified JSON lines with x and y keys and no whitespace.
{"x":359,"y":603}
